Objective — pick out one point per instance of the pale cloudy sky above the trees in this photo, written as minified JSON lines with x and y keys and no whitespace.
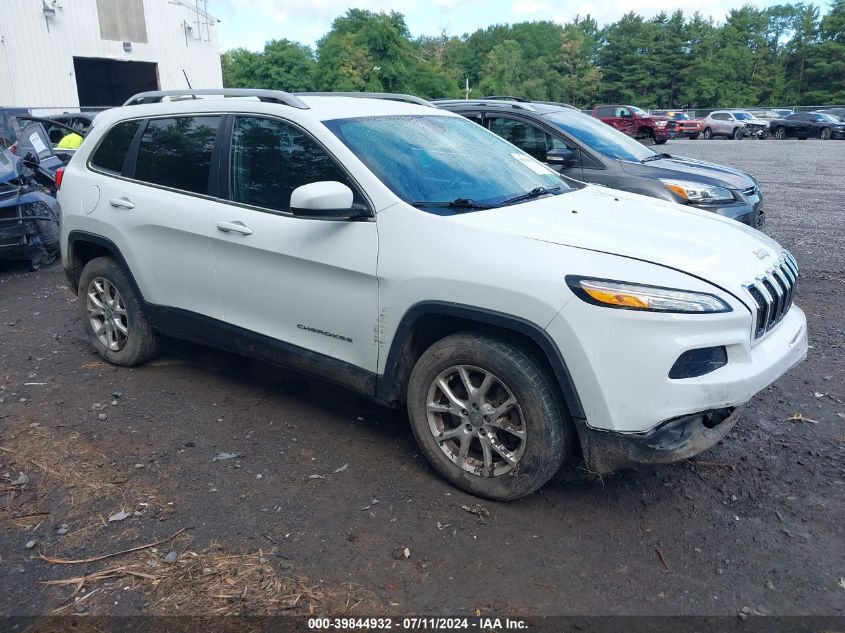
{"x":251,"y":23}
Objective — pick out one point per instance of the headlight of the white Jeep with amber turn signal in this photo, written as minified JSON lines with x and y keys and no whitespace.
{"x":628,"y":296}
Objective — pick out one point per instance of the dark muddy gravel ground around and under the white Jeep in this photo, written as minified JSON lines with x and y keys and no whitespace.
{"x":327,"y":494}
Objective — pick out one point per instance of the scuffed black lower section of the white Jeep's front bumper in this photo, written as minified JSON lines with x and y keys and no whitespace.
{"x":673,"y":441}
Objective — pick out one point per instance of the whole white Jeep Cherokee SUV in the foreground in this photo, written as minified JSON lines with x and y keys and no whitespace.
{"x":419,"y":259}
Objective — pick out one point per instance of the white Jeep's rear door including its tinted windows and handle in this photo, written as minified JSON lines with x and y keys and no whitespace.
{"x":155,"y":206}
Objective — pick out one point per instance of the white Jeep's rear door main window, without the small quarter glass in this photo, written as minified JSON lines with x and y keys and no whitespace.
{"x":177,"y":152}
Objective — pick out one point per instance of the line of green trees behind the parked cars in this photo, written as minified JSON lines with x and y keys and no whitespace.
{"x":787,"y":54}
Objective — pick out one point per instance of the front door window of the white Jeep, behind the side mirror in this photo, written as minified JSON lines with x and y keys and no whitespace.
{"x":270,"y":159}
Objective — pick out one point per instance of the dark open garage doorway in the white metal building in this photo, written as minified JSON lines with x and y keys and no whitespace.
{"x":107,"y":82}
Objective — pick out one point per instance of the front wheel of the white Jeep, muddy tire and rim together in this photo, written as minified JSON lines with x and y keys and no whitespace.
{"x":536,"y":455}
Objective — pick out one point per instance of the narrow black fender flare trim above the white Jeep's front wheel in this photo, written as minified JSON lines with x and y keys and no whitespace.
{"x":386,"y":383}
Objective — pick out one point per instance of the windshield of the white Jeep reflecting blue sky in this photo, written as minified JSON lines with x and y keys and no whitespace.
{"x":436,"y":158}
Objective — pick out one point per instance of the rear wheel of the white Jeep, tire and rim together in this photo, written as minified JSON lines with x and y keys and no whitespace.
{"x":107,"y":297}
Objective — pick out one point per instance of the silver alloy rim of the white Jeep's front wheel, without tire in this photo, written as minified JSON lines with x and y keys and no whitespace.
{"x":476,"y":421}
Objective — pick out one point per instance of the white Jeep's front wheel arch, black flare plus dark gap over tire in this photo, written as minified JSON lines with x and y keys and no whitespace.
{"x":427,"y":322}
